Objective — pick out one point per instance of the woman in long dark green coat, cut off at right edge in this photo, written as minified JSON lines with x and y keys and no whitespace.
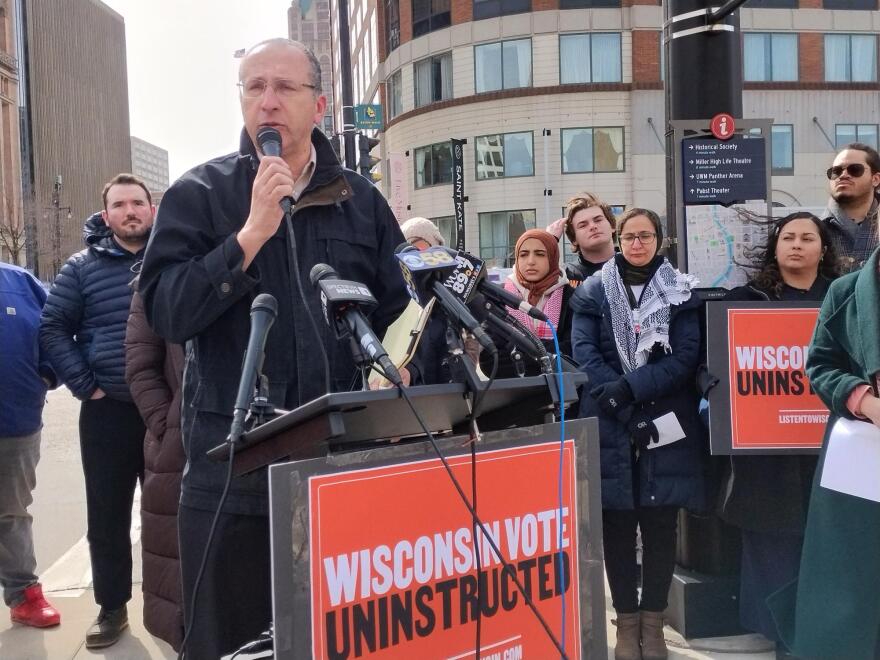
{"x":832,"y":612}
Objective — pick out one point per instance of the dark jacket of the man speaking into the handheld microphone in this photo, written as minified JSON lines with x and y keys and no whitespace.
{"x":196,"y":292}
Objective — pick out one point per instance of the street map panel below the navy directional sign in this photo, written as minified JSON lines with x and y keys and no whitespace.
{"x":718,"y":239}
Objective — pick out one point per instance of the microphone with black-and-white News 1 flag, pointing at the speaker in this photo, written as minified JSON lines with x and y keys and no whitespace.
{"x":342,"y":301}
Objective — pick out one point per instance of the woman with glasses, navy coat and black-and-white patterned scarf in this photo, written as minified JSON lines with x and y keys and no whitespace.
{"x":636,"y":334}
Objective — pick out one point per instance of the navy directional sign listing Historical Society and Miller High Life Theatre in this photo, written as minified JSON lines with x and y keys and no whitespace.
{"x":716,"y":172}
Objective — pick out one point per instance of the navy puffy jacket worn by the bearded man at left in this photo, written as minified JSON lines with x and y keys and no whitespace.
{"x":82,"y":328}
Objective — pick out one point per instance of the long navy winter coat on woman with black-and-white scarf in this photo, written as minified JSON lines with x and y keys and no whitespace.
{"x":671,"y":475}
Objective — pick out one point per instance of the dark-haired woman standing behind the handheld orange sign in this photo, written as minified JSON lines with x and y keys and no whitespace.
{"x":766,"y":496}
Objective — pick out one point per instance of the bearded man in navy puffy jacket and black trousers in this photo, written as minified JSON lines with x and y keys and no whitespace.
{"x":82,"y":331}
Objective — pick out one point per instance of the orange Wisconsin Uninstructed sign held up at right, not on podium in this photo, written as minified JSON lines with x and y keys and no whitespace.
{"x":764,"y":402}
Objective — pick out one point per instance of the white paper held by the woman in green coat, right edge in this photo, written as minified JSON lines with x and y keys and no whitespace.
{"x":852,"y":460}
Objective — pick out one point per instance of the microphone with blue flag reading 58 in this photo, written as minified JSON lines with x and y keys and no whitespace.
{"x":421,"y":269}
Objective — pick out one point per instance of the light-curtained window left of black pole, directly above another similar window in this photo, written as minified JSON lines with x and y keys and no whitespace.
{"x":585,"y":58}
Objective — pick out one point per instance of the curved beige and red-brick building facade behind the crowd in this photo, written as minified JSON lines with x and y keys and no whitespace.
{"x":559,"y":96}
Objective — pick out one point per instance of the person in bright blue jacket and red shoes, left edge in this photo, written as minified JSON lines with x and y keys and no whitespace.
{"x":26,"y":376}
